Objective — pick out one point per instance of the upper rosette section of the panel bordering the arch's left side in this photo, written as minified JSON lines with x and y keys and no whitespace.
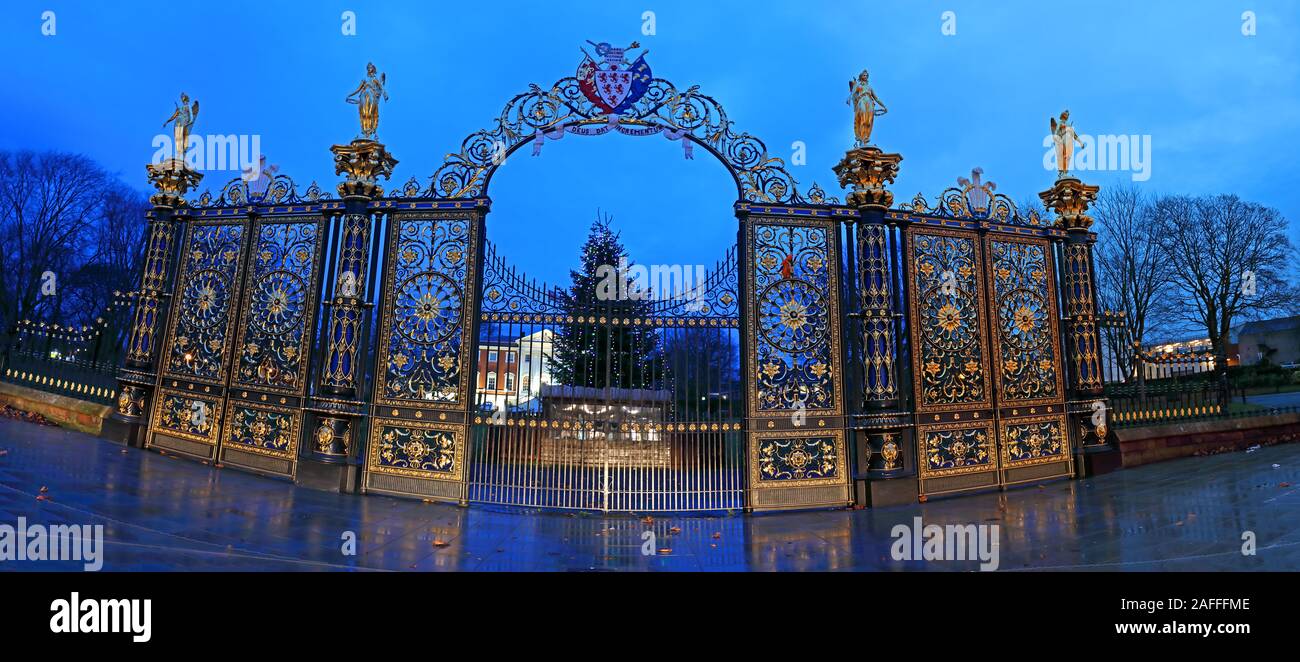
{"x":424,"y":349}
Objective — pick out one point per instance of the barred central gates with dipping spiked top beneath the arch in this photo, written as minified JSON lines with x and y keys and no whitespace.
{"x":613,"y":405}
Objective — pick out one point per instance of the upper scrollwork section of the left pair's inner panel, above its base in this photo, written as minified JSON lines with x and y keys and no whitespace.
{"x":279,"y":308}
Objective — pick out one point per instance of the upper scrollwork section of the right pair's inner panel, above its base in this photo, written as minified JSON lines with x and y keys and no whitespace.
{"x":947,"y":317}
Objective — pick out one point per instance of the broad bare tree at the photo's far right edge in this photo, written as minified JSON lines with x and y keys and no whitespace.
{"x":1227,"y":259}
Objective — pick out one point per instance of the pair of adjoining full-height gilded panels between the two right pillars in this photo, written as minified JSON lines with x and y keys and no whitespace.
{"x":990,"y":396}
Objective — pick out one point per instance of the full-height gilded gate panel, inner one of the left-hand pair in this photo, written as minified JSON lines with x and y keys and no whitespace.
{"x":265,"y":409}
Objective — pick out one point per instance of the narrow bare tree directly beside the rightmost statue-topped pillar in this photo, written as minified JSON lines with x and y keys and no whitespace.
{"x":1133,"y":276}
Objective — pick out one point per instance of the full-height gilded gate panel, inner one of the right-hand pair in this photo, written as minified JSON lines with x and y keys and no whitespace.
{"x":950,"y":334}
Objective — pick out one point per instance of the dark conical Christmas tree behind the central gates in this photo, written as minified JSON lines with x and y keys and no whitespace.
{"x":605,"y":354}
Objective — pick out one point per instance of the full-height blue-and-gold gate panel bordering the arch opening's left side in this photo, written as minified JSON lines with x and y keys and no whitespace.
{"x":417,"y":444}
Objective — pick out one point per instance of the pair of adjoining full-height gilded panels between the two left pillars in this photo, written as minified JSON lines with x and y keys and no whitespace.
{"x":240,"y":341}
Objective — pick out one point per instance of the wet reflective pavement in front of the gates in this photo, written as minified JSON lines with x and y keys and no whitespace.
{"x":170,"y":514}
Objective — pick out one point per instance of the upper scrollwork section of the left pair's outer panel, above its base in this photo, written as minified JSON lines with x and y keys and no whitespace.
{"x":200,"y":341}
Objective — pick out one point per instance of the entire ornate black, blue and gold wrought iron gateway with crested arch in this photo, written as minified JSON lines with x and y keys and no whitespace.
{"x":838,"y":353}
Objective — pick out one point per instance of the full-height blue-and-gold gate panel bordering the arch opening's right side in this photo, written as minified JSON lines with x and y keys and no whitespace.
{"x":792,"y":332}
